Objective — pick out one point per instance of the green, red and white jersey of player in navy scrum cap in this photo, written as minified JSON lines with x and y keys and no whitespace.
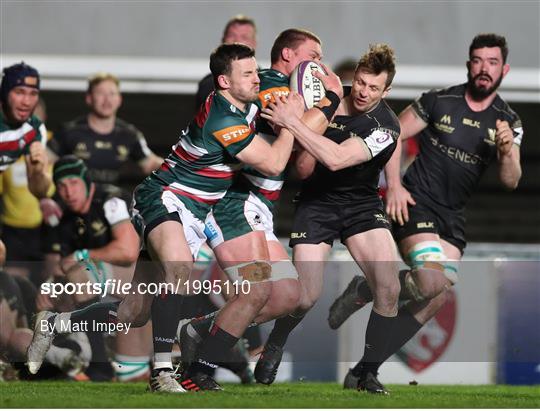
{"x":15,"y":141}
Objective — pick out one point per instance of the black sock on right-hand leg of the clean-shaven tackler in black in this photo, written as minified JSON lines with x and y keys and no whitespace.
{"x":379,"y":331}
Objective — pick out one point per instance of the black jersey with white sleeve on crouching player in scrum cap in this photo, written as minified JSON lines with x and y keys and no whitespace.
{"x":90,"y":230}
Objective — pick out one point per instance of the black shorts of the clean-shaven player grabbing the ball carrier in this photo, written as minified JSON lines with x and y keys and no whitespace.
{"x":316,"y":221}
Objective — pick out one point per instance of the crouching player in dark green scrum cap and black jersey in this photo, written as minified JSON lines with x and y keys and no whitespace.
{"x":94,"y":241}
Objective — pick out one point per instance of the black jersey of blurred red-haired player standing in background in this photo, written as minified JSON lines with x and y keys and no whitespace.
{"x":104,"y":154}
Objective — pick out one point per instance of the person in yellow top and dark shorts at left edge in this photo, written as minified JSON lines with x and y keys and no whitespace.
{"x":21,"y":216}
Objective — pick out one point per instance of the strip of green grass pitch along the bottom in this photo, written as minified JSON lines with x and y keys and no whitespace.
{"x":60,"y":394}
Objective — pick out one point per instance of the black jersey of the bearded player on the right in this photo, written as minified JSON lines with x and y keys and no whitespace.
{"x":456,"y":146}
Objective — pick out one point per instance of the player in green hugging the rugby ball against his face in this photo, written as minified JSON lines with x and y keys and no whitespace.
{"x":240,"y":229}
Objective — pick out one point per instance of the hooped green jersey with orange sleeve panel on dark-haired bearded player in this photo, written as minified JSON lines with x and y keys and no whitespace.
{"x":203,"y":162}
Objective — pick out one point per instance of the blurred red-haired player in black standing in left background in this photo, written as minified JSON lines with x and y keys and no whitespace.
{"x":101,"y":139}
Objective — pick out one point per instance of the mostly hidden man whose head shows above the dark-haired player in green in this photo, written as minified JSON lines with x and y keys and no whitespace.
{"x":239,"y":29}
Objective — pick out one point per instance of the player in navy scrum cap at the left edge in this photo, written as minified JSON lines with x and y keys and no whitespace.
{"x":21,"y":133}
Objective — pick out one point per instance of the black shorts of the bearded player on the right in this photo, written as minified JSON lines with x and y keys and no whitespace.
{"x":427,"y":217}
